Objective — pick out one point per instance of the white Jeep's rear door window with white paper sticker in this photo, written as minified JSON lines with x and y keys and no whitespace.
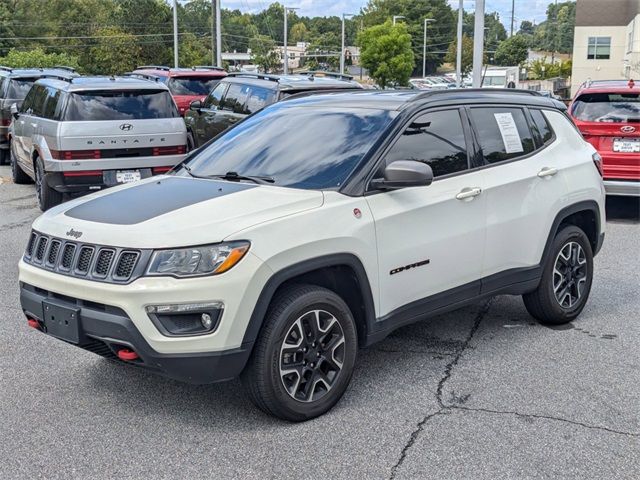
{"x":502,"y":132}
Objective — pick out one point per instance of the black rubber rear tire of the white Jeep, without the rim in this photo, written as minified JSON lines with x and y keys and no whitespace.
{"x":542,"y":303}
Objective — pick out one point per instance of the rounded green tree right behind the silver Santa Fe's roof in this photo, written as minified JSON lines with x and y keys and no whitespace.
{"x":116,"y":52}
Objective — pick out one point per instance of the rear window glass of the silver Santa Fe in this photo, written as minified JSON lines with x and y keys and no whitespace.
{"x":120,"y":105}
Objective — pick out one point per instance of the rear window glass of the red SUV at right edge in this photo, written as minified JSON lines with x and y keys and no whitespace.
{"x":608,"y":107}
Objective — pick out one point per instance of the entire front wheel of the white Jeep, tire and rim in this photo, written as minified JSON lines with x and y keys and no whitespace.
{"x":303,"y":323}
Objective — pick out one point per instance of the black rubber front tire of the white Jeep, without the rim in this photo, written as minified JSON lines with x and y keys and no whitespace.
{"x":261,"y":376}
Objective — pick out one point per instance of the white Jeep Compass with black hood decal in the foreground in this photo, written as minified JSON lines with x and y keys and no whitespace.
{"x":317,"y":226}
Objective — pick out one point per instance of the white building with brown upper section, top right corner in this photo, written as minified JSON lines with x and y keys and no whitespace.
{"x":606,"y":44}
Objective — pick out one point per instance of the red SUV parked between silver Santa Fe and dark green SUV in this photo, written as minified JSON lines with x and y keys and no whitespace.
{"x":185,"y":84}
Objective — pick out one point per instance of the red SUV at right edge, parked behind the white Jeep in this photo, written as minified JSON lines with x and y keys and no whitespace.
{"x":608,"y":115}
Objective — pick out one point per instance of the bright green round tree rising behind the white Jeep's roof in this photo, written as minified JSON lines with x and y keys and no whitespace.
{"x":385,"y":50}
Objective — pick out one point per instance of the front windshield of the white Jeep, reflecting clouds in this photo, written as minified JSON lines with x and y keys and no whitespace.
{"x":300,"y":147}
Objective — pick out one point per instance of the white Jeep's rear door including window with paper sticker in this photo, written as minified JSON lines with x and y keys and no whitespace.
{"x":524,"y":185}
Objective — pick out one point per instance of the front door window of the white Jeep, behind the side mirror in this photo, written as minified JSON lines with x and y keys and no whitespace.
{"x":436,"y":138}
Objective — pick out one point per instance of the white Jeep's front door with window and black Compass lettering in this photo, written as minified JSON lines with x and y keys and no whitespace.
{"x":431,"y":239}
